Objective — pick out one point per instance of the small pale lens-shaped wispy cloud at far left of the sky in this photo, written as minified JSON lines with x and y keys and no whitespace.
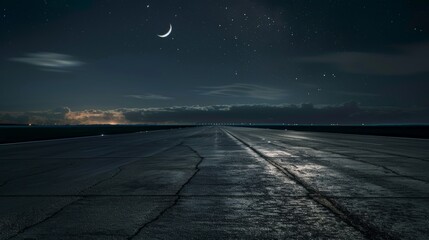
{"x":49,"y":61}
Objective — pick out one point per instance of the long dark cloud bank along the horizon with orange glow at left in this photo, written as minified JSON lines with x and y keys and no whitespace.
{"x":347,"y":113}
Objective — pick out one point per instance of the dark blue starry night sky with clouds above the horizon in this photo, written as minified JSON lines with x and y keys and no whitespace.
{"x":302,"y":61}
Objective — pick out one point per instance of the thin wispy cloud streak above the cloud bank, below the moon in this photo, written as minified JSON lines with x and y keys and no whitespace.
{"x":244,"y":91}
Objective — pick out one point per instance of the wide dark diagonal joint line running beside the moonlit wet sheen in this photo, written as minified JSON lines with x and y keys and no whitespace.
{"x":368,"y":230}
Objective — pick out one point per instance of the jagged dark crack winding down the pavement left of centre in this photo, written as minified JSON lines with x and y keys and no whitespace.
{"x":177,"y":195}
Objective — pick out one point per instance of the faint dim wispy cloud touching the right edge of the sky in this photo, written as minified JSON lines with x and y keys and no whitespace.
{"x":410,"y":59}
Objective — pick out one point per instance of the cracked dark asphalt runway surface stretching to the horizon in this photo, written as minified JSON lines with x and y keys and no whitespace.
{"x":216,"y":183}
